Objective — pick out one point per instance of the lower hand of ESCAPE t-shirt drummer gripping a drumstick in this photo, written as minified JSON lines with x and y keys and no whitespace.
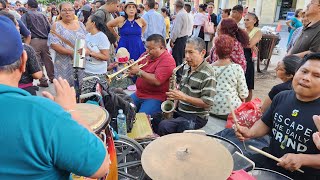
{"x":291,"y":162}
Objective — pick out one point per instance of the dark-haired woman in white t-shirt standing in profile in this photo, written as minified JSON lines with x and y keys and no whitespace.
{"x":97,"y":52}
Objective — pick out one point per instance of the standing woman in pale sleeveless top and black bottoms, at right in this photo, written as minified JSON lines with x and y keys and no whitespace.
{"x":251,"y":23}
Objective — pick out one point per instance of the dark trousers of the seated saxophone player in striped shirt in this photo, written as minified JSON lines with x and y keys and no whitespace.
{"x":180,"y":122}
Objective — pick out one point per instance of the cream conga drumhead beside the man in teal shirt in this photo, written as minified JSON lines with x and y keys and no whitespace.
{"x":94,"y":115}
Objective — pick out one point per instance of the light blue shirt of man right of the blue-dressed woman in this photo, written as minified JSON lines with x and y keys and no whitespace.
{"x":155,"y":24}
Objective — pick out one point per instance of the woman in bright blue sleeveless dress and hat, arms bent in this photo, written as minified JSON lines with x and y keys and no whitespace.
{"x":131,"y":27}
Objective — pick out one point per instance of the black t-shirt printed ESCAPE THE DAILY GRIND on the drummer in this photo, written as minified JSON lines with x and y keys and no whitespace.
{"x":292,"y":126}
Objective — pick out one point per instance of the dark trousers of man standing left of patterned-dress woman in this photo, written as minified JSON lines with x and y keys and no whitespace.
{"x":43,"y":56}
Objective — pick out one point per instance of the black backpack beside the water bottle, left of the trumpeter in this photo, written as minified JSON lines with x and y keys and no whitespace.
{"x":115,"y":99}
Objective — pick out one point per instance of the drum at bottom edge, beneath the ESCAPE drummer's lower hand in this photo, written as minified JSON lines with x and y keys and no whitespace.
{"x":267,"y":174}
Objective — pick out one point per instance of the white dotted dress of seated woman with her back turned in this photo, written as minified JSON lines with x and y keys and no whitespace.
{"x":231,"y":83}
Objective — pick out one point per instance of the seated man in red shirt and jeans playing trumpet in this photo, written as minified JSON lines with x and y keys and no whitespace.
{"x":153,"y":79}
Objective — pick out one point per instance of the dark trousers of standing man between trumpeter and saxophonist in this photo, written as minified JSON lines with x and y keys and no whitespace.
{"x":178,"y":53}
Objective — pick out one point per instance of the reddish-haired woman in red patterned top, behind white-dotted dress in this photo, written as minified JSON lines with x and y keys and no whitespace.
{"x":241,"y":39}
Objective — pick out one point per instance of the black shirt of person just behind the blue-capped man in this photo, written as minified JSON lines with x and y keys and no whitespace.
{"x":32,"y":66}
